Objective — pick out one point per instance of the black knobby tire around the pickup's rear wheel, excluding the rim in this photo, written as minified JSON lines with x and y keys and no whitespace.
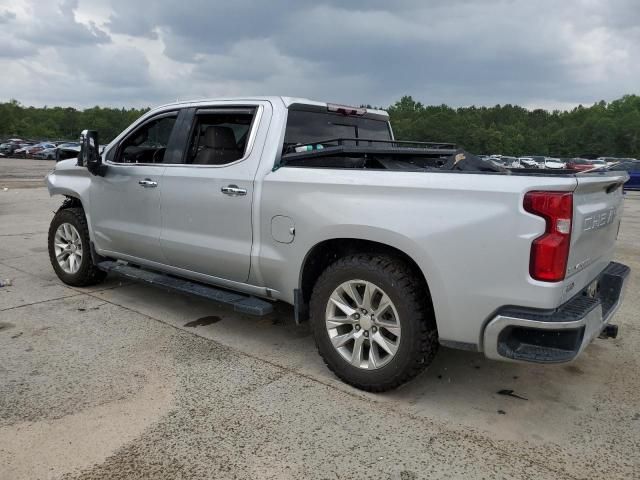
{"x":419,"y":341}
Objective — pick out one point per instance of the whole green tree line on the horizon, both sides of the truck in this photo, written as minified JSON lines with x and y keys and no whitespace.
{"x":601,"y":129}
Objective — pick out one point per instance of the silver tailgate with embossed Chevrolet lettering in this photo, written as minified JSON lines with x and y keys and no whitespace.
{"x":597,"y":211}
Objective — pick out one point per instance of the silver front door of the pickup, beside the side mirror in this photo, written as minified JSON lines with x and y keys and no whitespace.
{"x":125,"y":202}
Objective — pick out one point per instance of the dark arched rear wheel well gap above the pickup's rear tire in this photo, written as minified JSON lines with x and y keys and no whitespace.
{"x":325,"y":253}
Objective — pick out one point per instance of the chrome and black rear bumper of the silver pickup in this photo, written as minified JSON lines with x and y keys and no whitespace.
{"x":556,"y":335}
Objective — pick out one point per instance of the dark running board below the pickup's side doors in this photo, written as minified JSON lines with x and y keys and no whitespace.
{"x":241,"y":303}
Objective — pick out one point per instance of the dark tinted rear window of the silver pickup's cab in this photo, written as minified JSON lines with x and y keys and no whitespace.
{"x":308,"y":127}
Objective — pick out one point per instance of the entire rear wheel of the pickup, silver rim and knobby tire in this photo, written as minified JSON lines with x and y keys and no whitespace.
{"x":372,"y":322}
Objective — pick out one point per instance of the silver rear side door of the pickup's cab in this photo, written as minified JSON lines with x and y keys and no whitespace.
{"x":207,"y":199}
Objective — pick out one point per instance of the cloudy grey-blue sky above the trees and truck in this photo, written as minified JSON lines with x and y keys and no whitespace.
{"x":534,"y":53}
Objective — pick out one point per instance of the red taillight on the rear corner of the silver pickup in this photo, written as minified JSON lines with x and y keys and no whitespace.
{"x":550,"y":251}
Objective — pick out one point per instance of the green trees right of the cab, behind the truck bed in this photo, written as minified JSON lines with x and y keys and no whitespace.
{"x":602,"y":129}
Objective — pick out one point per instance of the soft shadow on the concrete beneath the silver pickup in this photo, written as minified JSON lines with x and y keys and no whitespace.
{"x":459,"y":387}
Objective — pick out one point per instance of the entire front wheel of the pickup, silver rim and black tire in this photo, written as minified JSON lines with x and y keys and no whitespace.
{"x":69,"y":249}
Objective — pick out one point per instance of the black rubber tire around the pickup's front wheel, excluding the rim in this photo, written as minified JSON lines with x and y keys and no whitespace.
{"x":88,"y":273}
